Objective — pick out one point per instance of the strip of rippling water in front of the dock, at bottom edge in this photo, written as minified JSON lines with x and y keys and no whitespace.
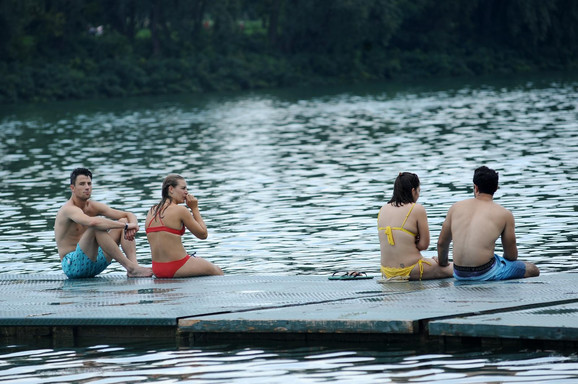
{"x":316,"y":364}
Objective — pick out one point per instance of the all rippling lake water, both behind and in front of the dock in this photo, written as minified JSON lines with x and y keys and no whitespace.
{"x":290,"y":182}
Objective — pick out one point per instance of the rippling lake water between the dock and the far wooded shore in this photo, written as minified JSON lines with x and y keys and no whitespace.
{"x":292,"y":184}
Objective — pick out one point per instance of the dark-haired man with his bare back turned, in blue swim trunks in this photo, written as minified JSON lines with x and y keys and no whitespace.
{"x":475,"y":225}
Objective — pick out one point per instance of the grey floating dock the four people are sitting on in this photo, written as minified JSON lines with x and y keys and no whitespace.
{"x":303,"y":307}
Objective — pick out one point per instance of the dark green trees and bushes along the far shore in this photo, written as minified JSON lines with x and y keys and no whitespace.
{"x":89,"y":49}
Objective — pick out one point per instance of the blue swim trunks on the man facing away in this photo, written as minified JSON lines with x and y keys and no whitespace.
{"x":497,"y":268}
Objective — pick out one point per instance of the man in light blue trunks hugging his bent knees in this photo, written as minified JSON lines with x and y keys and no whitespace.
{"x":88,"y":233}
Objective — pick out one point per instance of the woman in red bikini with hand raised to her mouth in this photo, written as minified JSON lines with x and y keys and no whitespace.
{"x":166,"y":223}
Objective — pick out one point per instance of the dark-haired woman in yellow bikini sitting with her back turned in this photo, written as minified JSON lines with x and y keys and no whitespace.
{"x":404,"y":233}
